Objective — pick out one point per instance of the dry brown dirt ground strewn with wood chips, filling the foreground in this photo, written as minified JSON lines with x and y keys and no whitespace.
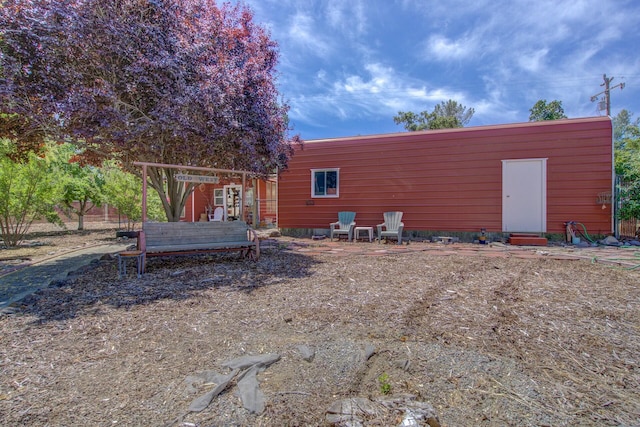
{"x":485,"y":341}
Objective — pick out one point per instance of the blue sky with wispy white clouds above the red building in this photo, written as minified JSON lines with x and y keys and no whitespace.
{"x":348,"y":66}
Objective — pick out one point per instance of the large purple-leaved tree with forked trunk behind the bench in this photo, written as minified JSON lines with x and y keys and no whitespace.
{"x":166,"y":81}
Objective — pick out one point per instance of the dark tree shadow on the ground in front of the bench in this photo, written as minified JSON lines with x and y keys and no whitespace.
{"x":89,"y":289}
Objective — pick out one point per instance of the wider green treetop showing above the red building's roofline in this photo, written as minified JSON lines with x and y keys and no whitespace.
{"x":445,"y":115}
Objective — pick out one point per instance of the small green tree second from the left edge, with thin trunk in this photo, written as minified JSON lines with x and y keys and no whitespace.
{"x":81,"y":186}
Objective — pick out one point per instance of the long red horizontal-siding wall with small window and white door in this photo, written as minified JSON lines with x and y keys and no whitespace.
{"x":451,"y":180}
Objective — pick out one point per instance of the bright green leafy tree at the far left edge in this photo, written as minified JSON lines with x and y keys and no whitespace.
{"x":27,"y":192}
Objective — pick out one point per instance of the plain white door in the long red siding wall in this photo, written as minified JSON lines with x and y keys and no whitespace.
{"x":524,"y":195}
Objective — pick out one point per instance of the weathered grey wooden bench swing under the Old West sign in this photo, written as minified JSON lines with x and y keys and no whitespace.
{"x":182,"y":238}
